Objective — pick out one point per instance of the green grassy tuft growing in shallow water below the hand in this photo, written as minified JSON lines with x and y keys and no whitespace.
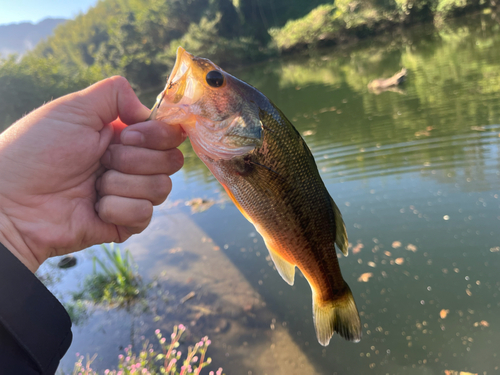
{"x":116,"y":283}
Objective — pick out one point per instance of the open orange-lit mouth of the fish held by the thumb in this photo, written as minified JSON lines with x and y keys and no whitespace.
{"x":181,"y":89}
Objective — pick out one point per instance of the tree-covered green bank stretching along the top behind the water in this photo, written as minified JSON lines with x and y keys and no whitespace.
{"x":138,"y":39}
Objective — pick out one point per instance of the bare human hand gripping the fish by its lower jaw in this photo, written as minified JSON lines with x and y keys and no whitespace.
{"x":73,"y":174}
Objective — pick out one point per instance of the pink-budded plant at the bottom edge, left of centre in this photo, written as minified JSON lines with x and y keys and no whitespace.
{"x":150,"y":362}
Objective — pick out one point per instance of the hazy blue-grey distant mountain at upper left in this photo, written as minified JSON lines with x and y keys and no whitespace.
{"x":21,"y":37}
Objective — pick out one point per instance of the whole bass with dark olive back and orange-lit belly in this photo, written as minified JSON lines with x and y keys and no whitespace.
{"x":270,"y":174}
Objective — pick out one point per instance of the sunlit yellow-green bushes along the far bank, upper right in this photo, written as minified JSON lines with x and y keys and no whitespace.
{"x":344,"y":20}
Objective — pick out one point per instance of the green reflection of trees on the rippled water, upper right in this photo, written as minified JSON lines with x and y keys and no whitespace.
{"x":452,"y":87}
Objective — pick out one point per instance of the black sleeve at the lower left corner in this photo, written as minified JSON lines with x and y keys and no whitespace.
{"x":35,"y":329}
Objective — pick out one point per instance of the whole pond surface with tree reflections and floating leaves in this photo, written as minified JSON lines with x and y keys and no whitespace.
{"x":416,"y":174}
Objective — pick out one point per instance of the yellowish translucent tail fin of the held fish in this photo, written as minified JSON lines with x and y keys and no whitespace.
{"x":339,"y":316}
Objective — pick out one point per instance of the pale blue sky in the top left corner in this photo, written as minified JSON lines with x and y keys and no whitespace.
{"x":14,"y":11}
